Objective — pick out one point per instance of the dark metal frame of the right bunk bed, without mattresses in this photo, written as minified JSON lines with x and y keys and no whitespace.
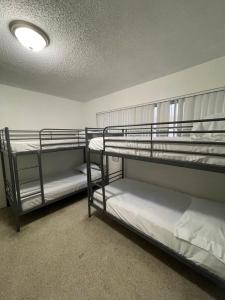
{"x":179,"y":128}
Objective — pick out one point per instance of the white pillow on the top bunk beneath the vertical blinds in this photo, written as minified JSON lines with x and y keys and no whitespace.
{"x":213,"y":125}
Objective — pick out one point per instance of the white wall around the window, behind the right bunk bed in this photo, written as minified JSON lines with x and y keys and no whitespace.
{"x":202,"y":77}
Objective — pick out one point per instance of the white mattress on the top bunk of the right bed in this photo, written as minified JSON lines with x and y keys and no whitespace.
{"x":97,"y":144}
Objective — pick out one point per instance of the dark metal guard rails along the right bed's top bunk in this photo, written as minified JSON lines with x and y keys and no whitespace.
{"x":169,"y":129}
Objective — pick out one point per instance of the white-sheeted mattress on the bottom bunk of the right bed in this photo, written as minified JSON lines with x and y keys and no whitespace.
{"x":155,"y":211}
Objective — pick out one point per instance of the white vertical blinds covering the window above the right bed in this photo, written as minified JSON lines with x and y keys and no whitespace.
{"x":195,"y":106}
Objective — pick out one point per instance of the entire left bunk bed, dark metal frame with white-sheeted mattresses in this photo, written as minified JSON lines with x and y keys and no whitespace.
{"x":25,"y":195}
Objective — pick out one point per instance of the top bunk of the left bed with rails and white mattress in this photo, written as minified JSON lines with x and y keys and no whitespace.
{"x":44,"y":140}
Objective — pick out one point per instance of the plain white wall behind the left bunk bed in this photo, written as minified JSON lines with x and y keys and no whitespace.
{"x":22,"y":109}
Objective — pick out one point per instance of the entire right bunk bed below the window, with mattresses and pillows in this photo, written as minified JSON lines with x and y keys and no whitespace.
{"x":189,"y":228}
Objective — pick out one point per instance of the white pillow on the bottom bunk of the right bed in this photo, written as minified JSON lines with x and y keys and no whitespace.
{"x":203,"y":225}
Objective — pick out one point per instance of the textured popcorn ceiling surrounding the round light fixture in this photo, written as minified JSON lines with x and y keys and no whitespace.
{"x":101,"y":46}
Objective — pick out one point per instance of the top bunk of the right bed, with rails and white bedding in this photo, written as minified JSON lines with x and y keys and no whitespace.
{"x":198,"y":144}
